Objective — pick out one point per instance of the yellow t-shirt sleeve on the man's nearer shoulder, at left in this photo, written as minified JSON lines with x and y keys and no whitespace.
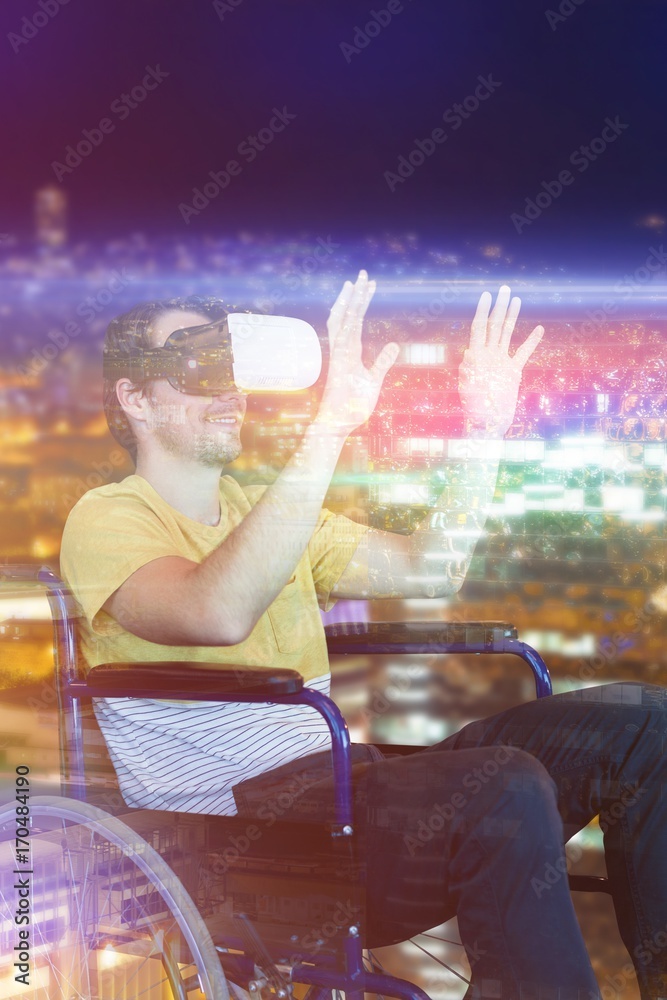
{"x":105,"y":541}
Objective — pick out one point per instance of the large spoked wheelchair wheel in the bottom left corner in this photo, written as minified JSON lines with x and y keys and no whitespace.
{"x":107,"y":917}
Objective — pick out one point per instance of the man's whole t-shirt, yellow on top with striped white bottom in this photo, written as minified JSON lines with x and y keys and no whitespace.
{"x":188,"y":756}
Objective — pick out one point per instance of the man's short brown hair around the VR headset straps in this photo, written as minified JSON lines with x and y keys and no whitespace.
{"x":131,"y":333}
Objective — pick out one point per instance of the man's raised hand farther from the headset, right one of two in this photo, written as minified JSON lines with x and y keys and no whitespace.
{"x":489,"y":378}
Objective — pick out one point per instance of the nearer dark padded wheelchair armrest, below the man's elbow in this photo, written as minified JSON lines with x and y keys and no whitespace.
{"x":155,"y":679}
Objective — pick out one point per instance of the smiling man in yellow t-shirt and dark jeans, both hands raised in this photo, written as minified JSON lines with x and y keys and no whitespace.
{"x":178,"y":563}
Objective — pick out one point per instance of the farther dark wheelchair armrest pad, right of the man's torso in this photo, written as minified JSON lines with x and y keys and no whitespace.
{"x":408,"y":637}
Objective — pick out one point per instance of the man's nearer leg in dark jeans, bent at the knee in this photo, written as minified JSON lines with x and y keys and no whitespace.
{"x":472,"y":833}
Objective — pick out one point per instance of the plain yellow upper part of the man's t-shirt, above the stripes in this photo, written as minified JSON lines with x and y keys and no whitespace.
{"x":114,"y":530}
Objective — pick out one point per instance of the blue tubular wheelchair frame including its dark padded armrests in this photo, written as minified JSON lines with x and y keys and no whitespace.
{"x":215,"y":682}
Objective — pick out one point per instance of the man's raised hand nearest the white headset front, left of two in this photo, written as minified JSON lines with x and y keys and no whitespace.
{"x":351,"y":391}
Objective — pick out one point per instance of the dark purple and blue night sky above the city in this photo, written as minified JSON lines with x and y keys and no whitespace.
{"x":324,"y":173}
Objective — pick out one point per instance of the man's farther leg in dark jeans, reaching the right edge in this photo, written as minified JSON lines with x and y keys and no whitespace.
{"x":604,"y":749}
